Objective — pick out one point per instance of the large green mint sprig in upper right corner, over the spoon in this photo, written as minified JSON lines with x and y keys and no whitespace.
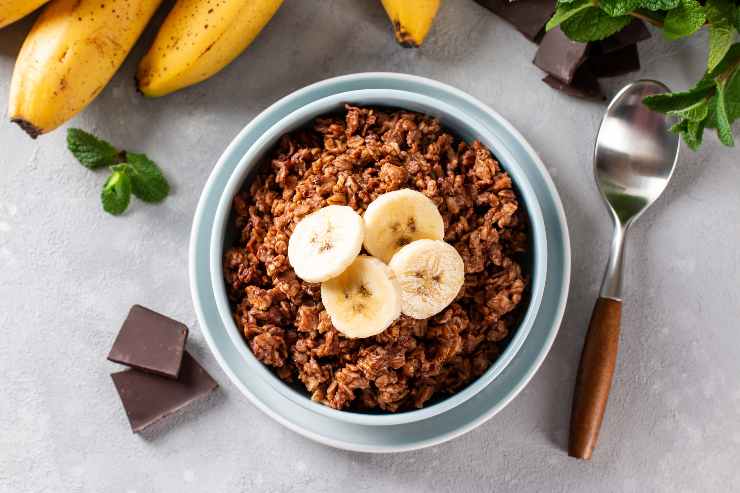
{"x":714,"y":102}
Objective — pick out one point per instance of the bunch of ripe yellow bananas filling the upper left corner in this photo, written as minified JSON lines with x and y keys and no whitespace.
{"x":76,"y":46}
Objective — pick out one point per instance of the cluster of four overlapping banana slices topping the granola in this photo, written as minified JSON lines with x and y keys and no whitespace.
{"x":410,"y":269}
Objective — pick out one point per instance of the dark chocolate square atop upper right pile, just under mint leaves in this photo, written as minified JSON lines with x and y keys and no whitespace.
{"x":559,"y":56}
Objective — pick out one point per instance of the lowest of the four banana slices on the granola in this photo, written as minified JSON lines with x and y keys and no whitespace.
{"x":364,"y":300}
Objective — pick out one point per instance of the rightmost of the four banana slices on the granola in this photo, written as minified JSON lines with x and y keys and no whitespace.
{"x":430,"y":273}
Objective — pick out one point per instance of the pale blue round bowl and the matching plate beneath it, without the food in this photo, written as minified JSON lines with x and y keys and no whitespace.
{"x":443,"y":419}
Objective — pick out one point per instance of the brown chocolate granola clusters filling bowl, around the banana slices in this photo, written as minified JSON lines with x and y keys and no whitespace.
{"x":351,"y":159}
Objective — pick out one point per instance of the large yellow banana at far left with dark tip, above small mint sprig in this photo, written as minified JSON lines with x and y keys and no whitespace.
{"x":71,"y":53}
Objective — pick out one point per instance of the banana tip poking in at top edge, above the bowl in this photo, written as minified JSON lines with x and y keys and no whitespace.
{"x":411,"y":19}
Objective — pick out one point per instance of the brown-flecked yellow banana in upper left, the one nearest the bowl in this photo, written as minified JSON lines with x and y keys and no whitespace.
{"x":199,"y":38}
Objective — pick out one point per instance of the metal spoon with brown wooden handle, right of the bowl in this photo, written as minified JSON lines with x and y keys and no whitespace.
{"x":634,"y":158}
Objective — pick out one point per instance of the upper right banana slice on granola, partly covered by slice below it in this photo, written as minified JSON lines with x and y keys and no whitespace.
{"x":397,"y":218}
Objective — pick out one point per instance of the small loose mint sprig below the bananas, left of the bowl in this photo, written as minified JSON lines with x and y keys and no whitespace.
{"x":131,"y":173}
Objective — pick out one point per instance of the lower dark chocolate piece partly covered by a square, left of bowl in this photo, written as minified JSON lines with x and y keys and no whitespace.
{"x":148,"y":398}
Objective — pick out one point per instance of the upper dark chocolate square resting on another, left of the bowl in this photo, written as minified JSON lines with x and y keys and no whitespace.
{"x":151,"y":342}
